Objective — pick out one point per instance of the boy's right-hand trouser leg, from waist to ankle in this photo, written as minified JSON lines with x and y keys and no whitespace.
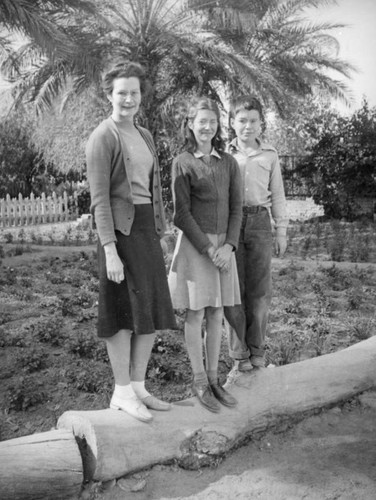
{"x":258,"y":285}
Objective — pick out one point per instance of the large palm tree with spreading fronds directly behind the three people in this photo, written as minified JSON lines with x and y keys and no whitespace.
{"x":200,"y":46}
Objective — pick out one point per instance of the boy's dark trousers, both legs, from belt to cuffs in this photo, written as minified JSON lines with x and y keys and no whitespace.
{"x":253,"y":257}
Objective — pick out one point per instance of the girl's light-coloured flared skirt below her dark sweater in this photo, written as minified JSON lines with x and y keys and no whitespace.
{"x":195,"y":282}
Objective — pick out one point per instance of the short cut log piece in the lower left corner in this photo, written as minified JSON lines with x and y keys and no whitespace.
{"x":46,"y":465}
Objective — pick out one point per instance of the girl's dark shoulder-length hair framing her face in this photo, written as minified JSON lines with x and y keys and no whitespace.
{"x":197,"y":104}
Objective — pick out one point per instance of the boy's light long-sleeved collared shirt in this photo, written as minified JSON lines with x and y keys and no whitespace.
{"x":262,"y":180}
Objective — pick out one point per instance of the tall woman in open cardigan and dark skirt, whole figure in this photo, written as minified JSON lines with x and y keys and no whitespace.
{"x":127,"y":205}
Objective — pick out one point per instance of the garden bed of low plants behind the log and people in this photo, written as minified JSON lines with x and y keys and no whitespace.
{"x":51,"y":361}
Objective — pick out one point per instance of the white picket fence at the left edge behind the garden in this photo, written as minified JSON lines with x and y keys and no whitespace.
{"x":15,"y":212}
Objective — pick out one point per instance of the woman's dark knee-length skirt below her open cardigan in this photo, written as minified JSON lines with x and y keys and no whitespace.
{"x":141,"y":302}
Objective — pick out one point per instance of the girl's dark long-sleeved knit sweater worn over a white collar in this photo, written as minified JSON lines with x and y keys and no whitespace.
{"x":207,"y":198}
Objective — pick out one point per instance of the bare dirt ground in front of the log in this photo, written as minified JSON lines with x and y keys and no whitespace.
{"x":328,"y":456}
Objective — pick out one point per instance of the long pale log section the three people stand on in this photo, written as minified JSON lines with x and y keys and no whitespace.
{"x":115,"y":444}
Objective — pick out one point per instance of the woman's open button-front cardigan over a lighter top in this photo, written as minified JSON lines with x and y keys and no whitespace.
{"x":109,"y":172}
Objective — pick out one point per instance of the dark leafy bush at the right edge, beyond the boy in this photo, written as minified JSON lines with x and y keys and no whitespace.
{"x":341,"y":167}
